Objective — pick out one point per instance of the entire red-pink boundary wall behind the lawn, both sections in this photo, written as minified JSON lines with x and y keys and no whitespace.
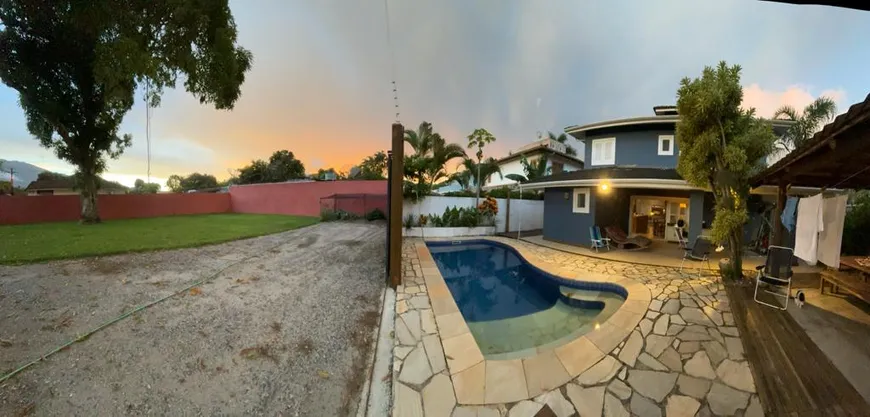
{"x":302,"y":199}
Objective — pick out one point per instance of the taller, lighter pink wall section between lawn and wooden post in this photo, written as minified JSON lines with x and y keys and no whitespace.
{"x":302,"y":198}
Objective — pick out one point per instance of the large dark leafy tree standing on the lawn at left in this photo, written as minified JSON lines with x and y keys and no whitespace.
{"x":77,"y":64}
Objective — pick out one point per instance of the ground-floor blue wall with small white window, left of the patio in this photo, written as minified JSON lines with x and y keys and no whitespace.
{"x":561,"y":224}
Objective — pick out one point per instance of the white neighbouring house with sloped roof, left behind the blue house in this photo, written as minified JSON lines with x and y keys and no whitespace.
{"x":557,"y":161}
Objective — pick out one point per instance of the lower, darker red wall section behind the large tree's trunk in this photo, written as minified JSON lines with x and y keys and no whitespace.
{"x":55,"y":208}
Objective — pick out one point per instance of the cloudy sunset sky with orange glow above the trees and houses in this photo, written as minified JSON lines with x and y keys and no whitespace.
{"x":320,"y":83}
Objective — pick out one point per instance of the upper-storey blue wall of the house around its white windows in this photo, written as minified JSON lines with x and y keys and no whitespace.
{"x":637,"y":148}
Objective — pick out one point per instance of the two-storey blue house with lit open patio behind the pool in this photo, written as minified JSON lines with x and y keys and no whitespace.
{"x":630,"y":181}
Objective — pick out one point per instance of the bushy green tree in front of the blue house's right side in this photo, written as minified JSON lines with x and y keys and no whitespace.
{"x":722,"y":146}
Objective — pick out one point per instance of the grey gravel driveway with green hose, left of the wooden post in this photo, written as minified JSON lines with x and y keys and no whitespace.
{"x":285,"y":329}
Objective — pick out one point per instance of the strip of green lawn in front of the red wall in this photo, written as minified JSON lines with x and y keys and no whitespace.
{"x":46,"y":241}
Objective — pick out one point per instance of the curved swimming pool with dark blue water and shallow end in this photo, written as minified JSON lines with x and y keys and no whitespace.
{"x":512,"y":308}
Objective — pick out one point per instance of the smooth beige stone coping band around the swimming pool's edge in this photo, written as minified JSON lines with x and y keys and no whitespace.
{"x":471,"y":372}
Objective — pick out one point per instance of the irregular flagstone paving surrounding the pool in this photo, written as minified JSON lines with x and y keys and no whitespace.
{"x":685,"y":358}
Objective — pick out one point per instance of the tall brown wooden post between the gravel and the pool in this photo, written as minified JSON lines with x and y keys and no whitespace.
{"x":397,"y":174}
